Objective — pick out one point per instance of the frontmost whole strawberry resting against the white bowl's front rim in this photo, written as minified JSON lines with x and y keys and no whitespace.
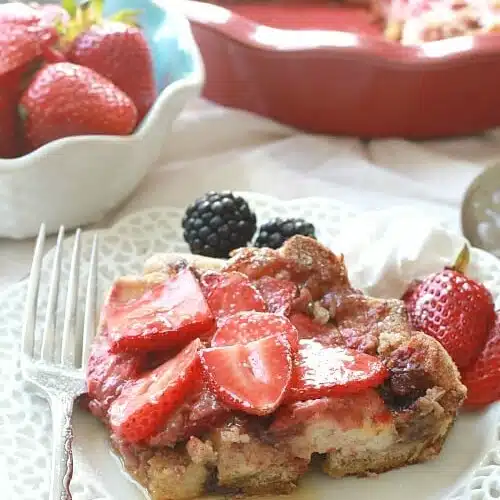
{"x":66,"y":99}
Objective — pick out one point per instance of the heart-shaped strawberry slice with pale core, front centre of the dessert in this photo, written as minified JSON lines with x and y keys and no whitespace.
{"x":253,"y":377}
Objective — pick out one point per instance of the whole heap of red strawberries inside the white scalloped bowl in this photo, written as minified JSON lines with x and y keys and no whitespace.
{"x":50,"y":54}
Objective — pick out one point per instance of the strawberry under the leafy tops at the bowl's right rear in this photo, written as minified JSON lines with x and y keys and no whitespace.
{"x":119,"y":52}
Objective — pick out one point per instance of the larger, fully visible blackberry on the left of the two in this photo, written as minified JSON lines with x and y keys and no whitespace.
{"x":217,"y":223}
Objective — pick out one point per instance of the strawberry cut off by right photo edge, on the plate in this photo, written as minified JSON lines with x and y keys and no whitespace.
{"x":482,"y":378}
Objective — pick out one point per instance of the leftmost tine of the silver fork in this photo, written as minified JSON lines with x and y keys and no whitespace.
{"x":28,"y":332}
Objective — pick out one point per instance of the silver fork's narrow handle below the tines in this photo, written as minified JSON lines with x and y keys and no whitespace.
{"x":61,"y":406}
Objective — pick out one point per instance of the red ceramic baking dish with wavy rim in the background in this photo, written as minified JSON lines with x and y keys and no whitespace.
{"x":345,"y":79}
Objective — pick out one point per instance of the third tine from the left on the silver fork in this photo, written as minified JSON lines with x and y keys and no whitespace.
{"x":68,"y":335}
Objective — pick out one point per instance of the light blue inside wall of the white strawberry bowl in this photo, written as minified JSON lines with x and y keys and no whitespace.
{"x":168,"y":35}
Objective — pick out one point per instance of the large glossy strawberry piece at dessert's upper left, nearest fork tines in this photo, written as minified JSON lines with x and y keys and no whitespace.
{"x":167,"y":315}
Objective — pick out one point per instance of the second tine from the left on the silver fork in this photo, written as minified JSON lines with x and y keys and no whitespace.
{"x":49,"y":329}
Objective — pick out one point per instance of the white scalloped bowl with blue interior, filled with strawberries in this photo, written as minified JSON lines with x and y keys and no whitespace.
{"x":87,"y":97}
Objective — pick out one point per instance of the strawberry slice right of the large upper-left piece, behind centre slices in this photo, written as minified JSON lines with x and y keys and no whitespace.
{"x":229,"y":293}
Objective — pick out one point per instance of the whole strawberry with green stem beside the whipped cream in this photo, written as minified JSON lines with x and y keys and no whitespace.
{"x":454,"y":309}
